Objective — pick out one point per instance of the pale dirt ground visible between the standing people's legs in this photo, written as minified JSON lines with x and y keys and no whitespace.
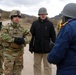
{"x":28,"y":63}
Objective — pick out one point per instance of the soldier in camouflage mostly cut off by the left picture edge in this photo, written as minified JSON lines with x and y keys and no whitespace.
{"x":1,"y":48}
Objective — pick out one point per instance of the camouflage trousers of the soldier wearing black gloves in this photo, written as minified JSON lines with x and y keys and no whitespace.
{"x":13,"y":62}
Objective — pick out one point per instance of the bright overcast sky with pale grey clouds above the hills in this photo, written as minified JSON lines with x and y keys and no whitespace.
{"x":31,"y":7}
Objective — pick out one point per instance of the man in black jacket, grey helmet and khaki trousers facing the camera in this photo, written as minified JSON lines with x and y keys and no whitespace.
{"x":43,"y":33}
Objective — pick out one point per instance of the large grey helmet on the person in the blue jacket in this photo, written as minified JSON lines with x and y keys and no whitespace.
{"x":69,"y":10}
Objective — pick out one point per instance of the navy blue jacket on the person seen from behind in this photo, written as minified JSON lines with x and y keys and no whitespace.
{"x":63,"y":53}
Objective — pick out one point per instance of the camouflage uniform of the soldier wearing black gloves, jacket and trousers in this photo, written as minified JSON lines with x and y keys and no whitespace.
{"x":13,"y":53}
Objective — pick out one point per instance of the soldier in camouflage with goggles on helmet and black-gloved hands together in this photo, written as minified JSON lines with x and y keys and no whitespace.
{"x":13,"y":41}
